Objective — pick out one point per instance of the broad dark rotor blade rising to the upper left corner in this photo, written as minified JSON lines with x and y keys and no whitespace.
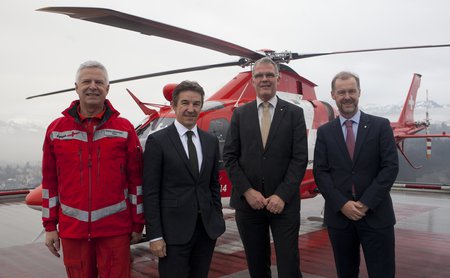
{"x":153,"y":28}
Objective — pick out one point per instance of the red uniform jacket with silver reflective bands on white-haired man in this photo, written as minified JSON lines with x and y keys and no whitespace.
{"x":92,"y":181}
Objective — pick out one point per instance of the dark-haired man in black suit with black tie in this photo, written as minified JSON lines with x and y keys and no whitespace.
{"x":182,"y":206}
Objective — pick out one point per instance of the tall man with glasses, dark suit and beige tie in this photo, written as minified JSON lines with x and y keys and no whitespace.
{"x":265,"y":156}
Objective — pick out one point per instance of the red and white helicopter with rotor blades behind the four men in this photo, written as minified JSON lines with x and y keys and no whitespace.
{"x":218,"y":108}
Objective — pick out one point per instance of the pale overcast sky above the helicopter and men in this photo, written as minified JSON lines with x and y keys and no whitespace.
{"x":40,"y":52}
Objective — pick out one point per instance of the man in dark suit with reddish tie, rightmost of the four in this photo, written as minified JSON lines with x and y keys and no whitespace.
{"x":355,"y":176}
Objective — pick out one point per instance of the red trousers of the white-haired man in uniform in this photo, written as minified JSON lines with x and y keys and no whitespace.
{"x":106,"y":257}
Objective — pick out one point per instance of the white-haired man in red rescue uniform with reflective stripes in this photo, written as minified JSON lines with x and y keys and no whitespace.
{"x":92,"y":192}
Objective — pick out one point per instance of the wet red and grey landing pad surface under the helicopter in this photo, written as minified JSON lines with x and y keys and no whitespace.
{"x":422,"y":242}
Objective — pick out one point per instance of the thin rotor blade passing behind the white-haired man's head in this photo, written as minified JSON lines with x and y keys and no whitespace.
{"x":241,"y":62}
